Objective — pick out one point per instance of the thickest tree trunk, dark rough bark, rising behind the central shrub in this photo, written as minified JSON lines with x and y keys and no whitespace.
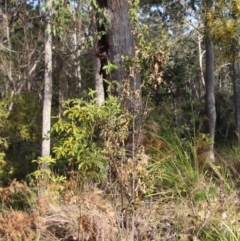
{"x":119,"y":42}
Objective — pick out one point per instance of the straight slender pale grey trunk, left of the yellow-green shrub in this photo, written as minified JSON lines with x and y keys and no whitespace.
{"x":47,"y":101}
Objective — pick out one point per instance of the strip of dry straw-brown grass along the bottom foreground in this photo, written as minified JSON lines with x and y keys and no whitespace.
{"x":91,"y":217}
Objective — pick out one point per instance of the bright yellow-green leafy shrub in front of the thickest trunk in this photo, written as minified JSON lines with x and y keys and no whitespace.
{"x":84,"y":133}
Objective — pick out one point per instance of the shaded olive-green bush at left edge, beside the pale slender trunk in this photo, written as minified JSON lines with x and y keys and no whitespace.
{"x":20,"y":133}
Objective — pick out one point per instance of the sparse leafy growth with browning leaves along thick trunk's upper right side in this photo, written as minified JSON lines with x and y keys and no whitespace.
{"x":150,"y":56}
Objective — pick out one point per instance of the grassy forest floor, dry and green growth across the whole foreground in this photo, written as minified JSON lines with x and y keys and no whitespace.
{"x":186,"y":204}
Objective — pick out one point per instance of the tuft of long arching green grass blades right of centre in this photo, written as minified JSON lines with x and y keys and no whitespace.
{"x":179,"y":169}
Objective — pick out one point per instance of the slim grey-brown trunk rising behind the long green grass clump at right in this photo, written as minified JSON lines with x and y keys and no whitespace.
{"x":210,"y":86}
